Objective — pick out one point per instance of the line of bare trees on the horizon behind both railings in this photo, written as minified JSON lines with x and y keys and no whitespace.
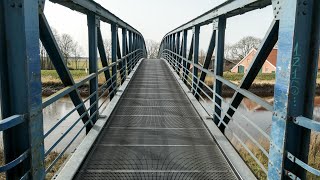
{"x":73,"y":52}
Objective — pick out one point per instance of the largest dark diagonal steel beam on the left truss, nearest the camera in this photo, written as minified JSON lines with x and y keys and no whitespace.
{"x":52,"y":48}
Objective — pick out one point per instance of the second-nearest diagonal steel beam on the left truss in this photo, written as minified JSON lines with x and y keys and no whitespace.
{"x":104,"y":61}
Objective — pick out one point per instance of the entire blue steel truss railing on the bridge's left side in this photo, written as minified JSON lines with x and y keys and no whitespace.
{"x":22,"y":25}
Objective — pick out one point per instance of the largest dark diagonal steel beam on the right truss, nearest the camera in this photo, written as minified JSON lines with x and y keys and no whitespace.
{"x":260,"y":57}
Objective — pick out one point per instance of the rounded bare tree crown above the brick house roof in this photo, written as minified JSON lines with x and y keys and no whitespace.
{"x":239,"y":50}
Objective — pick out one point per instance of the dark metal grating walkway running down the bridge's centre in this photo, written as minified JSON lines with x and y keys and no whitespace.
{"x":155,"y":133}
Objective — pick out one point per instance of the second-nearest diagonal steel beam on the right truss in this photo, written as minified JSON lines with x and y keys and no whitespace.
{"x":207,"y":62}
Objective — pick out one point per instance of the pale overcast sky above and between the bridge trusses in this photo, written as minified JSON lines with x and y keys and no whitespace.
{"x":154,"y":18}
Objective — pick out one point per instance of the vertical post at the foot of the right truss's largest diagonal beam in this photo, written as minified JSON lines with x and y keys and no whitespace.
{"x":218,"y":65}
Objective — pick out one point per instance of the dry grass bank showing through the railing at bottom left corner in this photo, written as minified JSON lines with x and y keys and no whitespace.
{"x":50,"y":158}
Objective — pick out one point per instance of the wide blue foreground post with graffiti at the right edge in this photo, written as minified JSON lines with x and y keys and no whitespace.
{"x":297,"y":67}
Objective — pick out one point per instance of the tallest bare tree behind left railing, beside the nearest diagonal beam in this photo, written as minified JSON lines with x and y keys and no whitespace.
{"x":67,"y":46}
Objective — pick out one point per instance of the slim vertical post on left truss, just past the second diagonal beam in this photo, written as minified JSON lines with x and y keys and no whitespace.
{"x":114,"y":32}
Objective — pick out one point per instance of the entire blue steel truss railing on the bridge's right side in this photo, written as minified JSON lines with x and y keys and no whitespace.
{"x":295,"y":28}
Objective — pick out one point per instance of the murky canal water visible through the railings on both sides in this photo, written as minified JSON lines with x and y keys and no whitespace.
{"x":247,"y":111}
